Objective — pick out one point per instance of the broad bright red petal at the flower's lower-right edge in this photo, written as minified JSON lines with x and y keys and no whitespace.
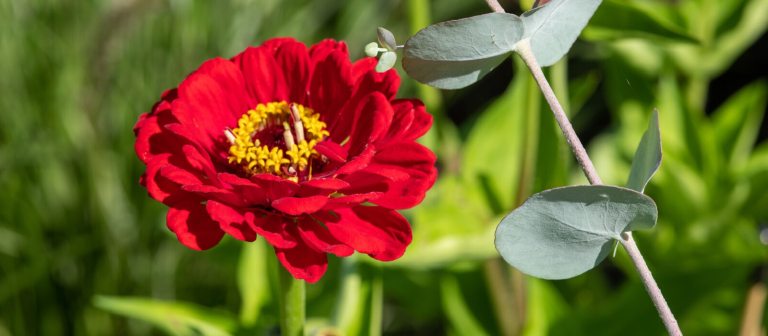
{"x":381,"y":233}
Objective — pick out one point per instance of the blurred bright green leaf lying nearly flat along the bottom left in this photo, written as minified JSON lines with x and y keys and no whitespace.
{"x":174,"y":318}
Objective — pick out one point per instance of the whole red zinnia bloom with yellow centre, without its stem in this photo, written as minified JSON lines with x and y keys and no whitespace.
{"x":297,"y":145}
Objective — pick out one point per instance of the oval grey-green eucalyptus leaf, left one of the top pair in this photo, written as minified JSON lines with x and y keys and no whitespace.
{"x":454,"y":54}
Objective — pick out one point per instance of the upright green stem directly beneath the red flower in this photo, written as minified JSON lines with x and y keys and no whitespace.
{"x":292,"y":303}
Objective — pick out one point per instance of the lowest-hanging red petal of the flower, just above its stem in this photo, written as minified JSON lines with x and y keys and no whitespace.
{"x":303,"y":262}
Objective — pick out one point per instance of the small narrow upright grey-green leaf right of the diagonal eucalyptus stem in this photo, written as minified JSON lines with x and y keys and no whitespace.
{"x":647,"y":157}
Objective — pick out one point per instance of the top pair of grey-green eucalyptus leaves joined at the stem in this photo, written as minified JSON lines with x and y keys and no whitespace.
{"x":455,"y":54}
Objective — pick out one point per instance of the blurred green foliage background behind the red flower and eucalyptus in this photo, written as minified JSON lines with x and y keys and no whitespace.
{"x":84,"y":251}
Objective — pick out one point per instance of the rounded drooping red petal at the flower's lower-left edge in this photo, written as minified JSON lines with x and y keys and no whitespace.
{"x":193,"y":227}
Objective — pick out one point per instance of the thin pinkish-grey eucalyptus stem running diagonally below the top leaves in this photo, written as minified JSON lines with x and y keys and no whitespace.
{"x":525,"y":52}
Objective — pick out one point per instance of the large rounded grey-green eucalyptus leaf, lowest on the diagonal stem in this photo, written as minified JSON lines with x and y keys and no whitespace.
{"x":563,"y":232}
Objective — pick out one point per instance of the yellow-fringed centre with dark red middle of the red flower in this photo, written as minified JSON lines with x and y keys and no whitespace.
{"x":277,"y":138}
